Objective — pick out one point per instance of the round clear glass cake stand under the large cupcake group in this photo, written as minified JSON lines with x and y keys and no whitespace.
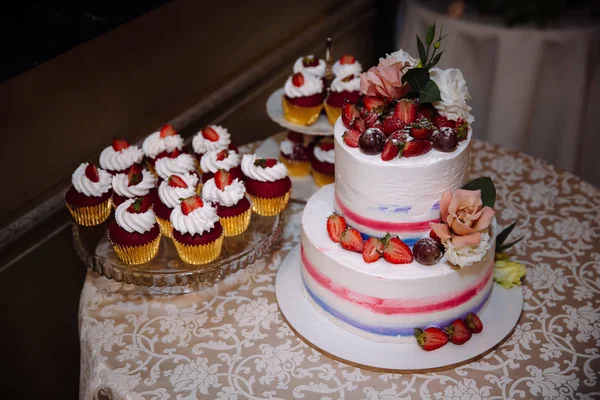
{"x":167,"y":273}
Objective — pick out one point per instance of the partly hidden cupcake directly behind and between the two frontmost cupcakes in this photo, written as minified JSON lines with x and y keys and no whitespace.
{"x":170,"y":193}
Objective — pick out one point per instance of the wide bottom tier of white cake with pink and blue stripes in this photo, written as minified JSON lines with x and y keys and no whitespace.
{"x":382,"y":301}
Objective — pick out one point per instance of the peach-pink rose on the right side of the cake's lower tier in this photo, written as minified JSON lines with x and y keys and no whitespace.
{"x":463,"y":217}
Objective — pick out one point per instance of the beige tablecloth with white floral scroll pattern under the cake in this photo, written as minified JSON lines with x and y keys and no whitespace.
{"x":231,"y":342}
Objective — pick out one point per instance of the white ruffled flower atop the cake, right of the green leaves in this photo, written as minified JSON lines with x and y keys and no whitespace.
{"x":454,"y":94}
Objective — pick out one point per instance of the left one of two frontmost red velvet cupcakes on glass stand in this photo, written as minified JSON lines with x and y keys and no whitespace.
{"x":134,"y":235}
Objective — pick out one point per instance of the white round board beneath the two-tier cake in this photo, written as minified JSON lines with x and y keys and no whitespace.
{"x":499,"y":319}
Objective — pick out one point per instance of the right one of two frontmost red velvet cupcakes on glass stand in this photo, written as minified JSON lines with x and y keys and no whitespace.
{"x":197,"y":232}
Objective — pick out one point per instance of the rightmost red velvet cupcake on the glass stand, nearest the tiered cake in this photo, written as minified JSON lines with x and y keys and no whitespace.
{"x":267,"y":184}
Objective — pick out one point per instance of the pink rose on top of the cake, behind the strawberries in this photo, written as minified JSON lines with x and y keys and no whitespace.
{"x":384,"y":81}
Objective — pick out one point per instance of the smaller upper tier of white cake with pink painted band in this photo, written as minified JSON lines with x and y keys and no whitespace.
{"x":400,"y":196}
